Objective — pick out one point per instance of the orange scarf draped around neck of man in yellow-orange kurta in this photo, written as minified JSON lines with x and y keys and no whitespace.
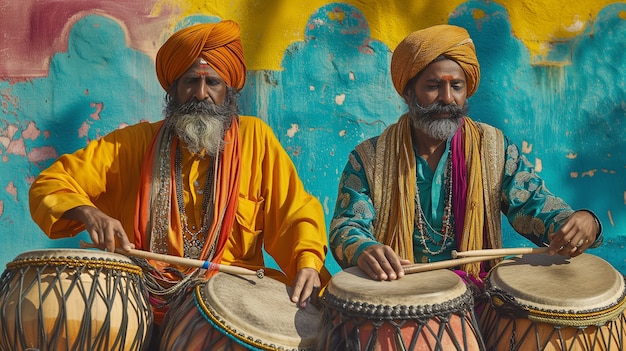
{"x":148,"y":220}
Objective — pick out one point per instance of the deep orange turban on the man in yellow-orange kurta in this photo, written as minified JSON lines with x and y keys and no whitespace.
{"x":217,"y":43}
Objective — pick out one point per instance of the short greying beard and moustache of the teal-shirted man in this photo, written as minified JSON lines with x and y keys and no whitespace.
{"x":437,"y":128}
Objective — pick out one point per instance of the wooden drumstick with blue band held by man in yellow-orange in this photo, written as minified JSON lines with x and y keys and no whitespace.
{"x":181,"y":261}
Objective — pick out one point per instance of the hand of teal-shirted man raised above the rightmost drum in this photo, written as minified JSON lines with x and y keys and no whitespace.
{"x":575,"y":235}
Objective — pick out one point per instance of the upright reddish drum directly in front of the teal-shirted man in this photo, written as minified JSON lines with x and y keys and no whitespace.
{"x":422,"y":311}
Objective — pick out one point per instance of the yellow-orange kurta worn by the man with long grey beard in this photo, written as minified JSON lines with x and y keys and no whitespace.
{"x":274,"y":208}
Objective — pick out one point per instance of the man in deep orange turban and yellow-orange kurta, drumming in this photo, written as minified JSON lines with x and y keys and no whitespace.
{"x":204,"y":183}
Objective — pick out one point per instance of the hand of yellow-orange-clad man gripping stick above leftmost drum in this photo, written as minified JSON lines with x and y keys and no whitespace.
{"x":102,"y":229}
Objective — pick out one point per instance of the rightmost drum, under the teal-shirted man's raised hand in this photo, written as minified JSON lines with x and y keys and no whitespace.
{"x":541,"y":302}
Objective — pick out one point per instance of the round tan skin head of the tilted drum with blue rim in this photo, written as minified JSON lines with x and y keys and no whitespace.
{"x":258,"y":312}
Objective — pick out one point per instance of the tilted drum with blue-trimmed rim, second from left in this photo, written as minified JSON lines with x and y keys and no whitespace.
{"x":230,"y":312}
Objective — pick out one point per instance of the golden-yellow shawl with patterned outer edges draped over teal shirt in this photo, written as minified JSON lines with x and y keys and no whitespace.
{"x":391,"y":173}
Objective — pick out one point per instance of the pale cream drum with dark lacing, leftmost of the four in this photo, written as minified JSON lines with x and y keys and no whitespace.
{"x":73,"y":300}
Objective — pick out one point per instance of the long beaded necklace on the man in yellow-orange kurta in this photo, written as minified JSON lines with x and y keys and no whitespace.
{"x":193,"y":243}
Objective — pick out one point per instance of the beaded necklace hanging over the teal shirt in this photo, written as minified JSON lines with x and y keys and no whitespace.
{"x":424,"y":227}
